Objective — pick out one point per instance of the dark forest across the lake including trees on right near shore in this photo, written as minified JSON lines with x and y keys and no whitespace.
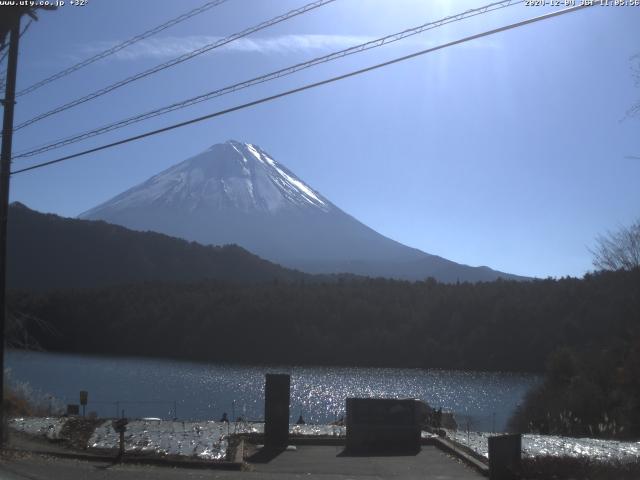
{"x":583,"y":333}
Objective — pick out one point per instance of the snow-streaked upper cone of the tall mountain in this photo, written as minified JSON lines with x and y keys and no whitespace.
{"x":227,"y":176}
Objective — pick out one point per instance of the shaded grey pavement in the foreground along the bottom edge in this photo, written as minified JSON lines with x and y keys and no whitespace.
{"x":305,"y":462}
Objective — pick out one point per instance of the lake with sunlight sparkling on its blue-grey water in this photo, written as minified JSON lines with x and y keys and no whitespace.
{"x":199,"y":391}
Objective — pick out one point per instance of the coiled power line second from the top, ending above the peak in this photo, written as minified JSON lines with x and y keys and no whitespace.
{"x":177,"y":60}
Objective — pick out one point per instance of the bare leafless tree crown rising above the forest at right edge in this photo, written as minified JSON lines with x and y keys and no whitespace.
{"x":618,"y":250}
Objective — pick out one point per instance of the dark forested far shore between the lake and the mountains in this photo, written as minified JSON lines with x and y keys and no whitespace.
{"x":501,"y":325}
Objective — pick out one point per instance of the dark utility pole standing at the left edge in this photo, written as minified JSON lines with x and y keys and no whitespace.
{"x":9,"y":24}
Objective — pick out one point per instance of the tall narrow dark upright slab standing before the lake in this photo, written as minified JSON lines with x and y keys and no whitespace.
{"x":276,"y":410}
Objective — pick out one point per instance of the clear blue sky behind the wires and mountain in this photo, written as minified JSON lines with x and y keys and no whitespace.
{"x":512,"y":151}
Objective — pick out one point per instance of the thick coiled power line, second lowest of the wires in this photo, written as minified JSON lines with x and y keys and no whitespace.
{"x":268,"y":77}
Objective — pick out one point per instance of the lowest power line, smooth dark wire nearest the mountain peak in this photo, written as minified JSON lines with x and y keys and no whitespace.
{"x":306,"y":87}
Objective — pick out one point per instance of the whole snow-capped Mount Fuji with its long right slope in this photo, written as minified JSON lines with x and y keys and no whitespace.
{"x":236,"y":193}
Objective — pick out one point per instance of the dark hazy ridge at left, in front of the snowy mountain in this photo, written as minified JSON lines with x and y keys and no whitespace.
{"x":46,"y":251}
